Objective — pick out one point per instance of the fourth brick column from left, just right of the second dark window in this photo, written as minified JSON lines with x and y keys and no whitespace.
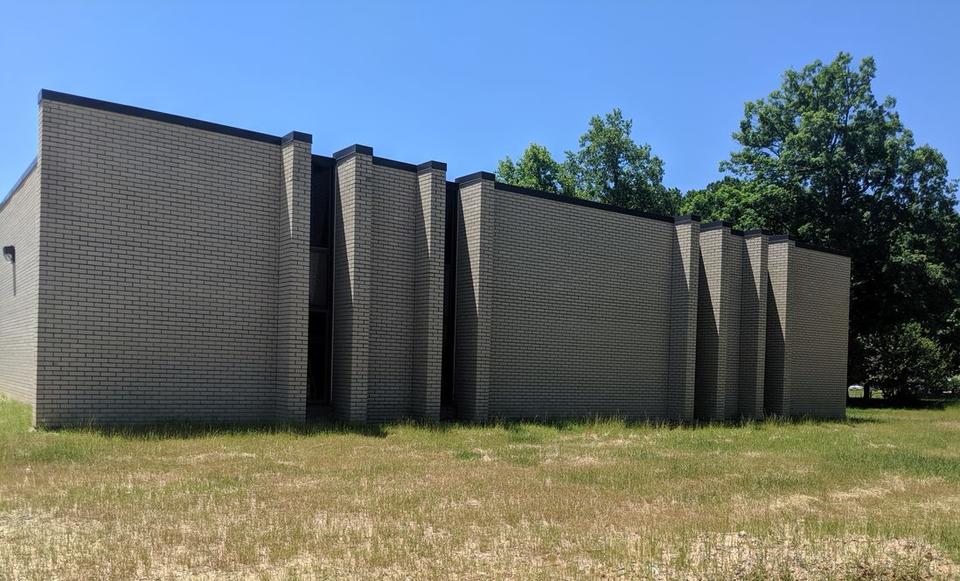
{"x":475,"y":286}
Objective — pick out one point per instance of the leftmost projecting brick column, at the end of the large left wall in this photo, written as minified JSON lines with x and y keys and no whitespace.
{"x":293,"y":270}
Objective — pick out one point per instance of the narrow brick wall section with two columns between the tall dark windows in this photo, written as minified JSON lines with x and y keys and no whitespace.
{"x":393,"y":227}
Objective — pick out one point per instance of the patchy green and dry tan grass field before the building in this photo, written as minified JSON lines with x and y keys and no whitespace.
{"x":876,"y":496}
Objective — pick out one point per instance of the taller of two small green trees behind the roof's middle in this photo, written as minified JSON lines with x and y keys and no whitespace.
{"x":611,"y":167}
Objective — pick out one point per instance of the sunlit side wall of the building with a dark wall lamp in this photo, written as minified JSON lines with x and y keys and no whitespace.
{"x":20,"y":227}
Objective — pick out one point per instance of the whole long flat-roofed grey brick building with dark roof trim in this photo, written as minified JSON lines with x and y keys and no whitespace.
{"x":163,"y":268}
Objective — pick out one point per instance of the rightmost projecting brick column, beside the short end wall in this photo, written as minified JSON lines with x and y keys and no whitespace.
{"x":777,"y":379}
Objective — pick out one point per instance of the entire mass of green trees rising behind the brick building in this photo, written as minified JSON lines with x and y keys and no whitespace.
{"x":826,"y":160}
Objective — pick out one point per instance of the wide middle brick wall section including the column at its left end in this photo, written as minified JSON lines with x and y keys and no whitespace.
{"x":577,"y":302}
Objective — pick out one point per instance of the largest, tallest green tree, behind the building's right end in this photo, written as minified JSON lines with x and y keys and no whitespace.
{"x":841,"y":170}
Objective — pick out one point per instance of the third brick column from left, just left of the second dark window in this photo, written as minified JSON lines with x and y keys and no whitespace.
{"x":429,"y":233}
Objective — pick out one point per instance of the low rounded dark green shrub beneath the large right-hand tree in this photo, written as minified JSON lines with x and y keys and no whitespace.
{"x":905,"y":364}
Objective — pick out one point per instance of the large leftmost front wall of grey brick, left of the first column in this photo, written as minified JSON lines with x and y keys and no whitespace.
{"x":159,"y":297}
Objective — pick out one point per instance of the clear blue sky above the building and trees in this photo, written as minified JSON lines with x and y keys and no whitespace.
{"x":468,"y":83}
